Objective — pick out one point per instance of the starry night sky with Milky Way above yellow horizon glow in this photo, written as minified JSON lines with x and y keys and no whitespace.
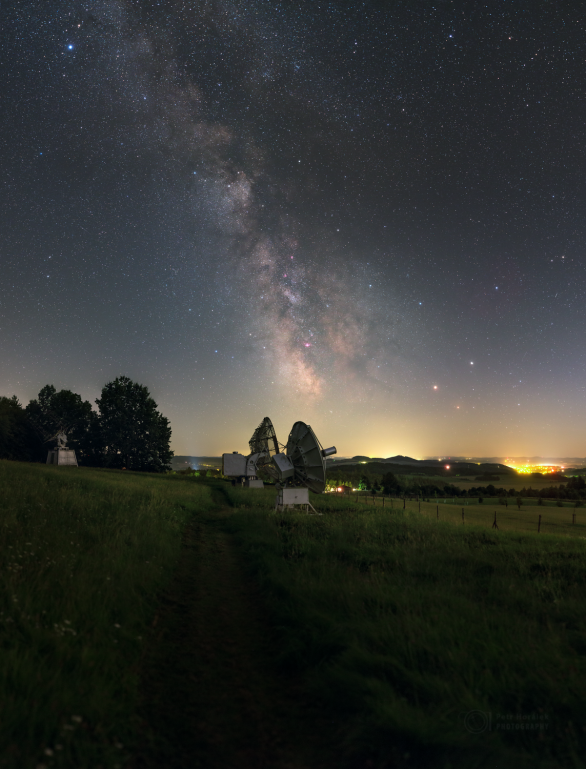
{"x":367,"y":216}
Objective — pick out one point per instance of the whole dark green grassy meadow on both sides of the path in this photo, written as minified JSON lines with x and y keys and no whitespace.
{"x":424,"y":642}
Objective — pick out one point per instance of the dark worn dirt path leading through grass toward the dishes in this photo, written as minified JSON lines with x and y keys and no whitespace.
{"x":210,"y":696}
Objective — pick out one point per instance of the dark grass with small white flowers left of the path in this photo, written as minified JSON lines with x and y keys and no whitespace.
{"x":83,"y":556}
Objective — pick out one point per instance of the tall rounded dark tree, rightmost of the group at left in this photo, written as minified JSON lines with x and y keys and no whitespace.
{"x":135,"y":435}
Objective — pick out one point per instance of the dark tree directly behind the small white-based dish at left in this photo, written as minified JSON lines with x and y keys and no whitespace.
{"x":65,"y":411}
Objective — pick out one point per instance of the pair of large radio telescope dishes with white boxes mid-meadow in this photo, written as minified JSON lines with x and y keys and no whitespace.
{"x":297,"y":470}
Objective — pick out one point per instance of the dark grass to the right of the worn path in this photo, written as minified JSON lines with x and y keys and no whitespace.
{"x":437,"y":645}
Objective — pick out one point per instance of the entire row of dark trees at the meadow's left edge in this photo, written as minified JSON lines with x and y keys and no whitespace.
{"x":126,"y":432}
